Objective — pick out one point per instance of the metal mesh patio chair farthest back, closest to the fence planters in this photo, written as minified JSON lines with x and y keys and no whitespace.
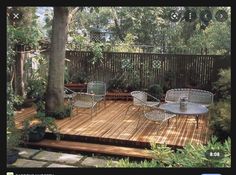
{"x":98,"y":88}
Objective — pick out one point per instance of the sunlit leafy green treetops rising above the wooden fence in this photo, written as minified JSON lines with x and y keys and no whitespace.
{"x":150,"y":26}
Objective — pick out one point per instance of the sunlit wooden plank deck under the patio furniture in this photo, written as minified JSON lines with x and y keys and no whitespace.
{"x":112,"y":126}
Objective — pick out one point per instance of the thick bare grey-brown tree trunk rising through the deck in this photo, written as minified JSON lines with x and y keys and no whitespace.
{"x":55,"y":88}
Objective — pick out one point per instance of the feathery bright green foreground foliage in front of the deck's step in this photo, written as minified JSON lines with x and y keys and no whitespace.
{"x":192,"y":155}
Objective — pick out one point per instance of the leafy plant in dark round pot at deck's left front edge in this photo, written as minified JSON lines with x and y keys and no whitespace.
{"x":35,"y":127}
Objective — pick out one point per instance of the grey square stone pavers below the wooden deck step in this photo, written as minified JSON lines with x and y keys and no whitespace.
{"x":41,"y":158}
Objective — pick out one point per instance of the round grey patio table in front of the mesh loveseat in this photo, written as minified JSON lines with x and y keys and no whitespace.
{"x":192,"y":109}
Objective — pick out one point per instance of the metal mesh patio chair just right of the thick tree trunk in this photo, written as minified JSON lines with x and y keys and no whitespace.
{"x":84,"y":100}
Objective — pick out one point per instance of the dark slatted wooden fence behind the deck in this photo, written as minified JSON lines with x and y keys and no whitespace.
{"x":165,"y":69}
